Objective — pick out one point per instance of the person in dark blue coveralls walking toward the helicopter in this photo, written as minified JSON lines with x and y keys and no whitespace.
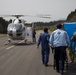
{"x":45,"y":49}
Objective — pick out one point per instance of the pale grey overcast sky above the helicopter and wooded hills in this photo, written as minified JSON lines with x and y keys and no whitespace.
{"x":58,"y":9}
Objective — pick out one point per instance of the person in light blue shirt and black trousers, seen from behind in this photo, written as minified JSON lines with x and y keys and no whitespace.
{"x":59,"y":40}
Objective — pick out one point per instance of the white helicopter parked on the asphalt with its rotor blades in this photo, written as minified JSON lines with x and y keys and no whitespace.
{"x":17,"y":31}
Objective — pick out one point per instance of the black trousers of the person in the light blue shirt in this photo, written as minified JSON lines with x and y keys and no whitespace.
{"x":60,"y":55}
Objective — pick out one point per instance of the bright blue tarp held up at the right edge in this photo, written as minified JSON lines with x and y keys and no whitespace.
{"x":70,"y":28}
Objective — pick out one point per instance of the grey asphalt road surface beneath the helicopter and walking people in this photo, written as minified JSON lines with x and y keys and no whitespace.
{"x":24,"y":59}
